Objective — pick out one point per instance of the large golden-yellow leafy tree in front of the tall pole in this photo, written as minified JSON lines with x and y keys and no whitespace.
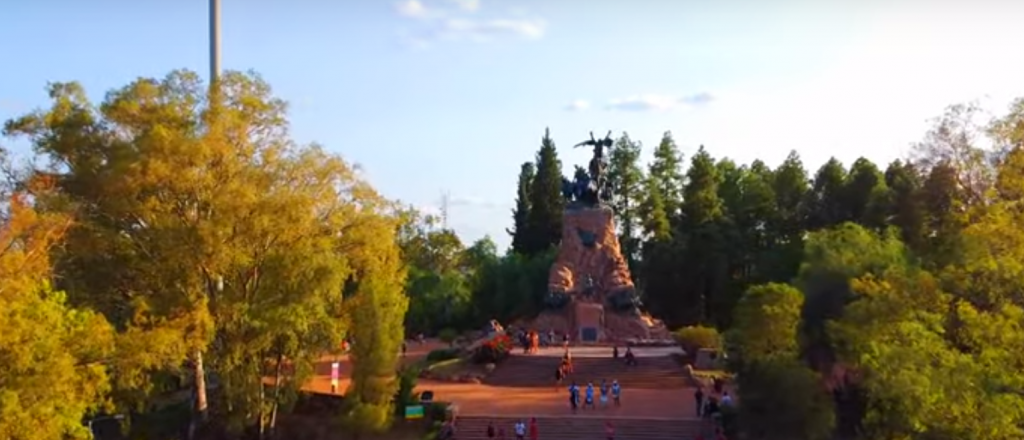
{"x":209,"y":238}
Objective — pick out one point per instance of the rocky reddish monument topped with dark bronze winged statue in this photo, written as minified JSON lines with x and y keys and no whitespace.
{"x":590,"y":291}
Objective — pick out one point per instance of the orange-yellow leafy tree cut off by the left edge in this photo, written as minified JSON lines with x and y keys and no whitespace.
{"x":54,"y":358}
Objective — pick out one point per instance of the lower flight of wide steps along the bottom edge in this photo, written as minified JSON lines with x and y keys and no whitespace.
{"x":570,"y":428}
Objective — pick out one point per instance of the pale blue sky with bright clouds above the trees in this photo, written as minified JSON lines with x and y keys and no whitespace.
{"x":452,"y":96}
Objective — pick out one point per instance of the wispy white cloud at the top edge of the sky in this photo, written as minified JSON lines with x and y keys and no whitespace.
{"x":461,"y":23}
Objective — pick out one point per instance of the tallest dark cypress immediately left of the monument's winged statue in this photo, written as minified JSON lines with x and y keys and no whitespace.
{"x":546,"y":203}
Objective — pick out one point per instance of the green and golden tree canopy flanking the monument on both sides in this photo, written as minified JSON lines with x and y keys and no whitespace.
{"x":177,"y":231}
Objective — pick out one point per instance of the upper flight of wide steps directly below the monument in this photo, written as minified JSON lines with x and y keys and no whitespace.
{"x":652,"y":373}
